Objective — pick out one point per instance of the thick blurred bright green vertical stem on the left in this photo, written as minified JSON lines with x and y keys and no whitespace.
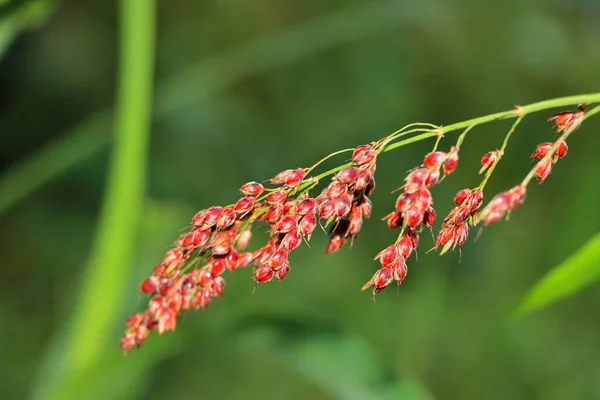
{"x":106,"y":274}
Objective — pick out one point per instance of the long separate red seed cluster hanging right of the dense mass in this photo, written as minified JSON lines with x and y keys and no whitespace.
{"x":414,"y":209}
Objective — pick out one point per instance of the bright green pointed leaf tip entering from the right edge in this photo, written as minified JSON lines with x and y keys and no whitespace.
{"x":575,"y":273}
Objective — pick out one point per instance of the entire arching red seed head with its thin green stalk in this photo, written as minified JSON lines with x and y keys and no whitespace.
{"x":190,"y":275}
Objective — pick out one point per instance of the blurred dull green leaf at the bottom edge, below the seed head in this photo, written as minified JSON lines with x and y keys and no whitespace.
{"x":343,"y":365}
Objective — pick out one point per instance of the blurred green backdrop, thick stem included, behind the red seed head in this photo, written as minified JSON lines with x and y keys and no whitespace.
{"x":242,"y":90}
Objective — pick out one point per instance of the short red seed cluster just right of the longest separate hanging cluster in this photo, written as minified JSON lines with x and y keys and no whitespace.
{"x":455,"y":227}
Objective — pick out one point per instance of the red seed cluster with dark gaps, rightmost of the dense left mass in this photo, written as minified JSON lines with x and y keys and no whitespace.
{"x":345,"y":200}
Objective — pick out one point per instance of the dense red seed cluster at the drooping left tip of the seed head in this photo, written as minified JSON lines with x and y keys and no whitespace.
{"x":215,"y":236}
